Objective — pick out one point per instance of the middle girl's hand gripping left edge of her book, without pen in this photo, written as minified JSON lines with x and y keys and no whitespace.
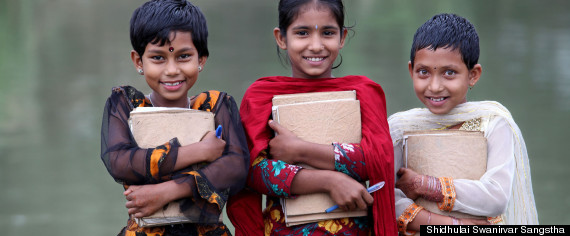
{"x":284,"y":146}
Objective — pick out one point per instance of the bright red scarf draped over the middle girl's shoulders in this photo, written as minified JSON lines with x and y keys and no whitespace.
{"x":244,"y":209}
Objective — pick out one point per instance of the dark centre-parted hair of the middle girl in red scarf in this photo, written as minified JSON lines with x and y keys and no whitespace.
{"x":289,"y":10}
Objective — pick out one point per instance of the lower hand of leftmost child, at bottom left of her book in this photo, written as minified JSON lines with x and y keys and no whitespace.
{"x":144,"y":200}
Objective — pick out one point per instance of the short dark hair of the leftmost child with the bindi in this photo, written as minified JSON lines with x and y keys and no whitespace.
{"x":156,"y":19}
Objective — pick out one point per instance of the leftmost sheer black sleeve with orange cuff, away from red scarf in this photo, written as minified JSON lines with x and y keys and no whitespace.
{"x":126,"y":162}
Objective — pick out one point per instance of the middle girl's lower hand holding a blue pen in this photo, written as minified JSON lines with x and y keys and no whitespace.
{"x":349,"y":194}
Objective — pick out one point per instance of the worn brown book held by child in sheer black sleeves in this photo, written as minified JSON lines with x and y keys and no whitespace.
{"x":155,"y":126}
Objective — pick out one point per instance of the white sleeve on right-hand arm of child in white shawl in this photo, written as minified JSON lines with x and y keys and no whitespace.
{"x":495,"y":185}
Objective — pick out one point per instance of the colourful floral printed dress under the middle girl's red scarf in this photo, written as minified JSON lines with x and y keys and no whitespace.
{"x":276,"y":180}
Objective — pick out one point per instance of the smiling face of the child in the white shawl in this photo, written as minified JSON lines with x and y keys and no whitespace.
{"x":441,"y":78}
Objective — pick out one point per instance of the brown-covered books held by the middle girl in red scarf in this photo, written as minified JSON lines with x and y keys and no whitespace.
{"x":320,"y":117}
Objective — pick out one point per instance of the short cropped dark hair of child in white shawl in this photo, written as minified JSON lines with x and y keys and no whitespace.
{"x":448,"y":31}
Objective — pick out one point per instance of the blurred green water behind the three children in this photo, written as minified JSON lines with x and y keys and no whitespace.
{"x":60,"y":58}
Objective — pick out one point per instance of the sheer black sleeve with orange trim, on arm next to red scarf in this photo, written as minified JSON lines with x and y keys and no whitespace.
{"x":212,"y":184}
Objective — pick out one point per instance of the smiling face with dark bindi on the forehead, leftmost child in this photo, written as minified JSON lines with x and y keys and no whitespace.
{"x":170,"y":70}
